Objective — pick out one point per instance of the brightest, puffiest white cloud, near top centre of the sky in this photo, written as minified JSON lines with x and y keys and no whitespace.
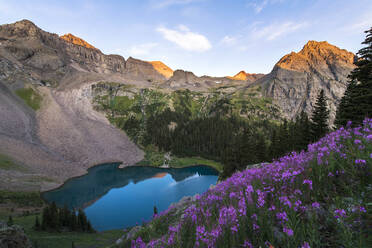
{"x":186,"y":39}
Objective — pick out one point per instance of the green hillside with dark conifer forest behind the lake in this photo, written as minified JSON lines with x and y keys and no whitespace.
{"x":234,"y":130}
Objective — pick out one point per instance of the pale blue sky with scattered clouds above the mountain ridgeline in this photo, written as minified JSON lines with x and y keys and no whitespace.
{"x":207,"y":37}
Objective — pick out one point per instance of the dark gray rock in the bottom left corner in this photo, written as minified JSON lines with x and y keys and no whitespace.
{"x":13,"y":237}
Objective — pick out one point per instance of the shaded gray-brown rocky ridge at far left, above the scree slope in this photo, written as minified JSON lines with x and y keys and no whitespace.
{"x":47,"y":52}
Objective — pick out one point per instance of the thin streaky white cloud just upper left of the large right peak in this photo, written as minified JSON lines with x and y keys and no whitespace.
{"x":275,"y":30}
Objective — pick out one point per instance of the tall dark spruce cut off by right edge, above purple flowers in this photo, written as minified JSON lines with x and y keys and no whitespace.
{"x":356,"y":104}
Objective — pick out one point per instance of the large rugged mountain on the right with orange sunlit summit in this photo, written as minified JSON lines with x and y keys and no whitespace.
{"x":297,"y":78}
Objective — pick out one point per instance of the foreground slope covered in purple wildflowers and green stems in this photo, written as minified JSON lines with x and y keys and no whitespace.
{"x":321,"y":198}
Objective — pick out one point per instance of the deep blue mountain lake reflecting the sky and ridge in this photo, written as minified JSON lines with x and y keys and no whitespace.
{"x":114,"y":198}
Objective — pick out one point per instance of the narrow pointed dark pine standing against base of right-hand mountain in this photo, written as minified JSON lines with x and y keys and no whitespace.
{"x":319,"y":118}
